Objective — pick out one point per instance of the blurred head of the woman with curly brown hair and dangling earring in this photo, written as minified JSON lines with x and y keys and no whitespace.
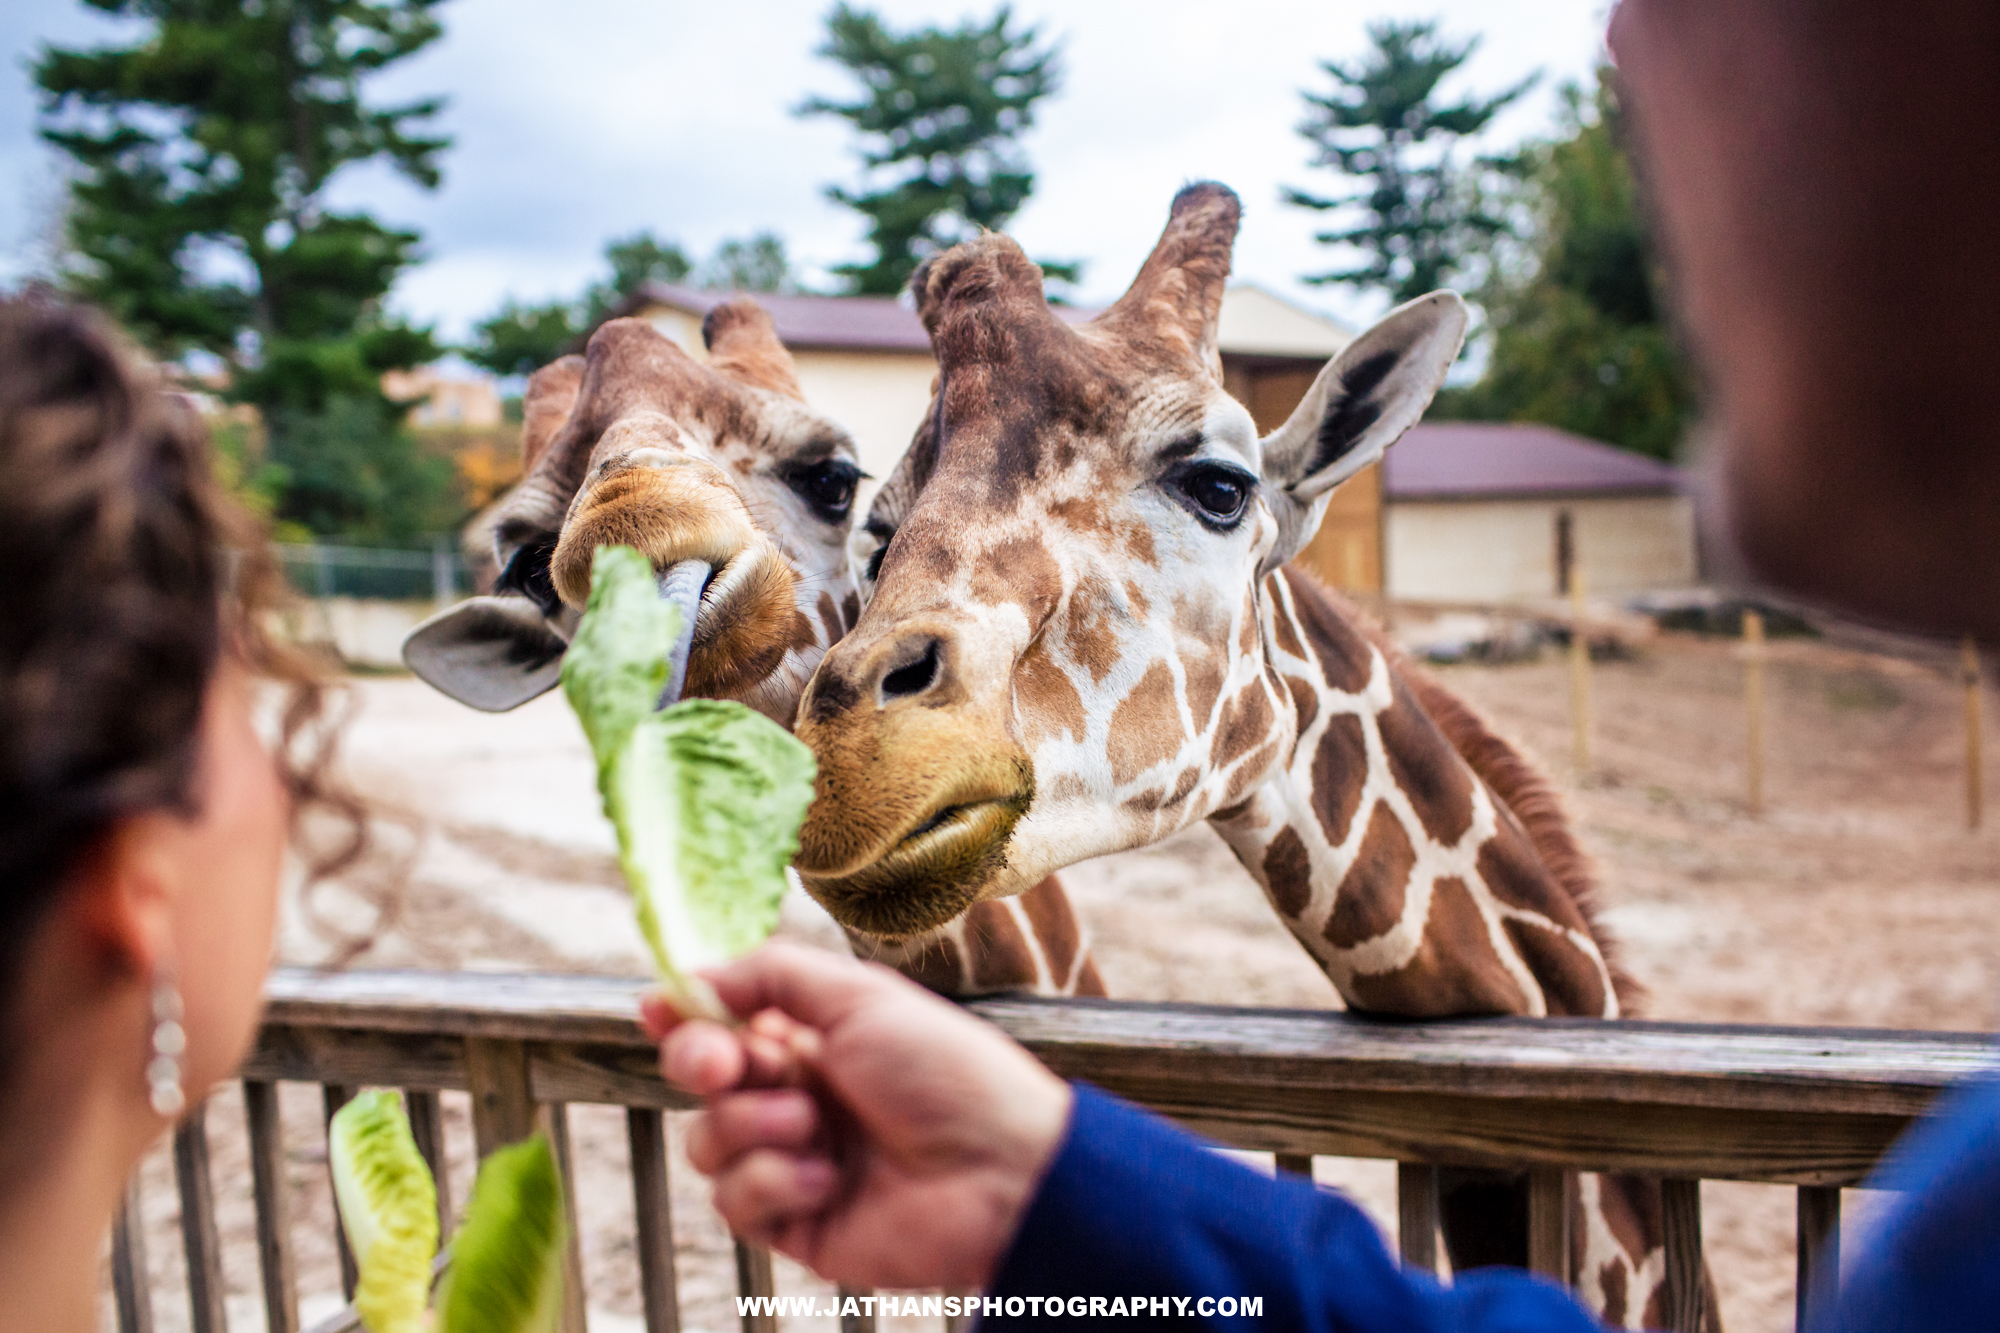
{"x":143,"y":822}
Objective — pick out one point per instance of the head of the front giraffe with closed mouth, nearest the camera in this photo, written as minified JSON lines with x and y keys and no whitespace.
{"x":1063,"y":653}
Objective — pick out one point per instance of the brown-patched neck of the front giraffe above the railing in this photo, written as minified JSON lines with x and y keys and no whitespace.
{"x":1417,"y":888}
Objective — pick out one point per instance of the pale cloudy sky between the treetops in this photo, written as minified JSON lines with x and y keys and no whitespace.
{"x":593,"y":119}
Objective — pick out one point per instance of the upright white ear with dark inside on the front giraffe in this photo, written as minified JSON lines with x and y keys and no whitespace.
{"x":1359,"y":405}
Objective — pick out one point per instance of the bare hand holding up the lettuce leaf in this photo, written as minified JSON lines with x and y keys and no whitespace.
{"x":859,"y":1124}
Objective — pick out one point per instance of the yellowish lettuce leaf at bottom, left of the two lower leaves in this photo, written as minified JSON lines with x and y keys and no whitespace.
{"x":389,"y":1206}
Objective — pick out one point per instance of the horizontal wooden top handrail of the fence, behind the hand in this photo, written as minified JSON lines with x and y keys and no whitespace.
{"x":1759,"y":1104}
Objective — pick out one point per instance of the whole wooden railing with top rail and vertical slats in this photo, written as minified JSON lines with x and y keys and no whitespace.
{"x":1809,"y":1108}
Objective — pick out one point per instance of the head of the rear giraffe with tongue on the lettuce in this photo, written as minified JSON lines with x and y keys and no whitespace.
{"x":635,"y":443}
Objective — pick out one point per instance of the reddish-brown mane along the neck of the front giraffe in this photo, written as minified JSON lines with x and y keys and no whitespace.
{"x":1521,"y":788}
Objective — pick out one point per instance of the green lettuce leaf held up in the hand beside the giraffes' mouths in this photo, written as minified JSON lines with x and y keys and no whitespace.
{"x":707,"y":796}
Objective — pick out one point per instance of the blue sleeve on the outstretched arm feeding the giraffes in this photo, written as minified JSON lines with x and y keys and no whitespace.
{"x":1135,"y":1208}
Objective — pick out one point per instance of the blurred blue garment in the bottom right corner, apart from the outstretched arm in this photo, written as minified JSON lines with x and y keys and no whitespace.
{"x":1933,"y":1262}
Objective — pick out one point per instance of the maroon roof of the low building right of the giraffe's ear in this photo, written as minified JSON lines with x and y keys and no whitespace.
{"x":1487,"y":459}
